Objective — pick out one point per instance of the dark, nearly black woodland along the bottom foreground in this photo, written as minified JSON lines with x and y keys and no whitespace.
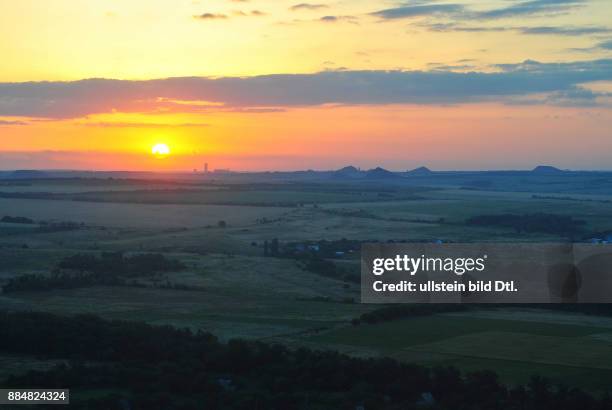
{"x":118,"y":365}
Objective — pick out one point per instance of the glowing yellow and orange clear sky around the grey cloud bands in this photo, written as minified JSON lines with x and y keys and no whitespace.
{"x":67,"y":40}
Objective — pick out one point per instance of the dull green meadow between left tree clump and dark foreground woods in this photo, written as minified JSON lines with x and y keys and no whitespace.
{"x":237,"y":296}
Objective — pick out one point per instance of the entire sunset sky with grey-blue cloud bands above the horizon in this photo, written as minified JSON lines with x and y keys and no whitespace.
{"x":286,"y":85}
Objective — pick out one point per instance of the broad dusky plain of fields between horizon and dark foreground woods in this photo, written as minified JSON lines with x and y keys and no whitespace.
{"x":231,"y":289}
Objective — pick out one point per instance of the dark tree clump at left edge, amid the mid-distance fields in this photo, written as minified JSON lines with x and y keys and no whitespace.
{"x":84,"y":270}
